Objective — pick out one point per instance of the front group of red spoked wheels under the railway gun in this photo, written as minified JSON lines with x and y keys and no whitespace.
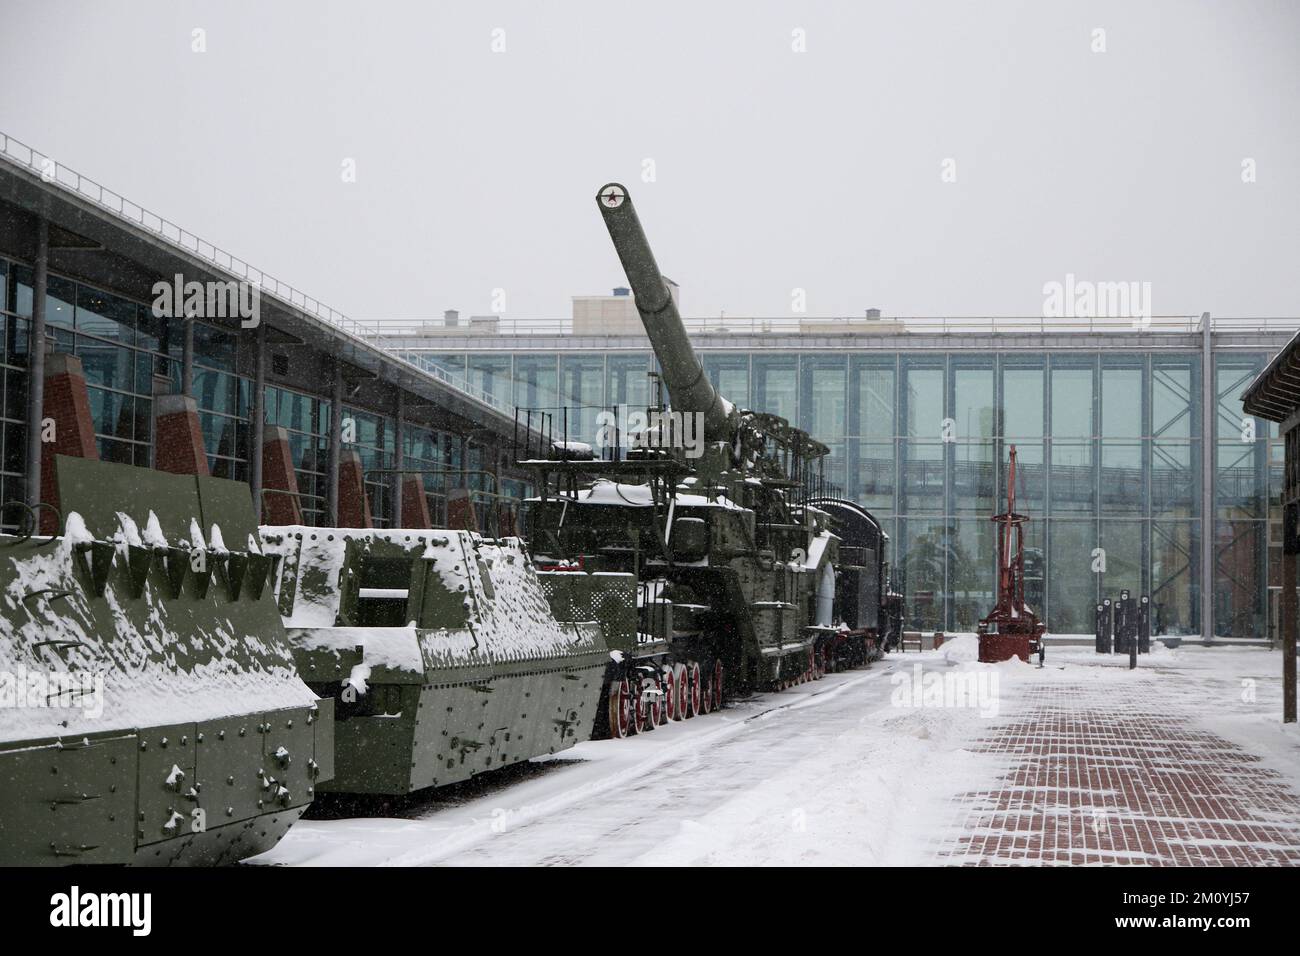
{"x":655,"y":695}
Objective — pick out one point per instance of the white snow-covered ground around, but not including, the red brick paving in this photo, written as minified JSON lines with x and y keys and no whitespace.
{"x":859,"y":768}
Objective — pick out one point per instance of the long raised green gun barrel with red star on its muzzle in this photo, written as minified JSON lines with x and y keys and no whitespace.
{"x":690,"y":388}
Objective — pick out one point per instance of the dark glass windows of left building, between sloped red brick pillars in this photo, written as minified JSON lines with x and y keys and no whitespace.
{"x":129,"y":357}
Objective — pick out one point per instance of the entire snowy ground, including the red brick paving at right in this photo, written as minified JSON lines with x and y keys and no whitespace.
{"x":887,"y":765}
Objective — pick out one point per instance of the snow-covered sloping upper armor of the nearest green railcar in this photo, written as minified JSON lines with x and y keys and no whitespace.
{"x":122,"y":663}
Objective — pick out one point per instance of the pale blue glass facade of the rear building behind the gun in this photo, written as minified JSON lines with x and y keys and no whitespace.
{"x":1110,"y":445}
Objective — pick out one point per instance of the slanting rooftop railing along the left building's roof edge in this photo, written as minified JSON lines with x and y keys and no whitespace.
{"x":365,"y":332}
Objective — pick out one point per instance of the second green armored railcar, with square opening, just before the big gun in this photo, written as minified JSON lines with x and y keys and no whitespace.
{"x":444,"y":652}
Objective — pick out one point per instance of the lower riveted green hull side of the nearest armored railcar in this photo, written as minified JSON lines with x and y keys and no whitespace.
{"x":103,"y":798}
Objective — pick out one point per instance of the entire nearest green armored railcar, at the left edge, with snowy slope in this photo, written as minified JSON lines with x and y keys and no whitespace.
{"x":150,"y":711}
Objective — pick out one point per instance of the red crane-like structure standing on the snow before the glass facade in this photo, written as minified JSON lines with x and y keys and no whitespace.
{"x":1012,"y":629}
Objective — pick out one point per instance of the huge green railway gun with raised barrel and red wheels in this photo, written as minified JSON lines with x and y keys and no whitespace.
{"x":740,"y":579}
